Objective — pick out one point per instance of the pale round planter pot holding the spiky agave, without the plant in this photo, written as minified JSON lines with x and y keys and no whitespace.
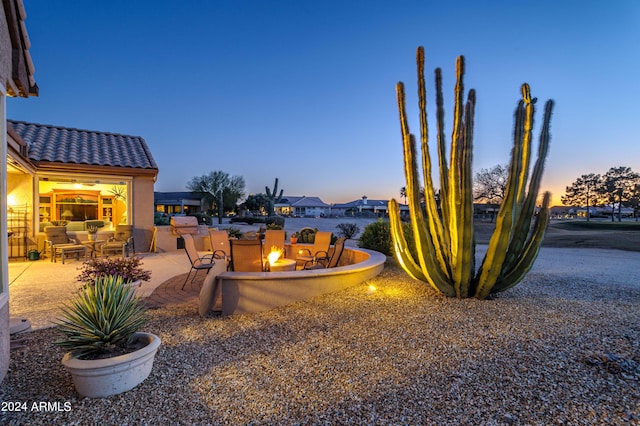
{"x":104,"y":377}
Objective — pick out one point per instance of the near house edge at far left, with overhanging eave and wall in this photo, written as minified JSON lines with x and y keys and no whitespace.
{"x":16,"y":80}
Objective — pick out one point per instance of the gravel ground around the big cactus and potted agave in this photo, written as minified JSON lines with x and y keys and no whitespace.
{"x":563,"y":347}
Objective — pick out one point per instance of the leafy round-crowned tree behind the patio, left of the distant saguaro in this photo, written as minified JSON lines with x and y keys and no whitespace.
{"x":223,"y":191}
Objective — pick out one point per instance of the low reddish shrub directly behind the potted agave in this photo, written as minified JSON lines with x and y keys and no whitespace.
{"x":129,"y":268}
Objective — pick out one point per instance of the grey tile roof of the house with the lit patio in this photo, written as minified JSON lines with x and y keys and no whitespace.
{"x":74,"y":146}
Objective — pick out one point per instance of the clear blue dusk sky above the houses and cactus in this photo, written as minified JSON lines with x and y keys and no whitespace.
{"x":305,"y":90}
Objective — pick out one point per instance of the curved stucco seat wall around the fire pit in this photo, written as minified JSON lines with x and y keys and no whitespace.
{"x":244,"y":292}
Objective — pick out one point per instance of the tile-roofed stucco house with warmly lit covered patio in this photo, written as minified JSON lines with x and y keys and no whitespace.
{"x":56,"y":173}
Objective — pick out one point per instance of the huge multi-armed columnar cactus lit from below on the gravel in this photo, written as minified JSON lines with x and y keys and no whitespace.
{"x":444,"y":239}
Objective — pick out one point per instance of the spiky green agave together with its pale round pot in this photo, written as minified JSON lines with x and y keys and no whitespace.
{"x":107,"y":355}
